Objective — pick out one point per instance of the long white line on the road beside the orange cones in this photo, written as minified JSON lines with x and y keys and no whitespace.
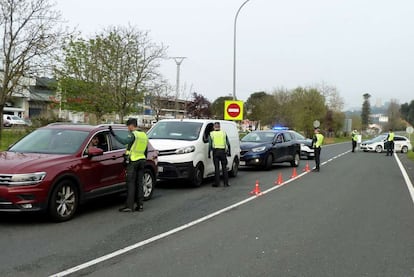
{"x":178,"y":229}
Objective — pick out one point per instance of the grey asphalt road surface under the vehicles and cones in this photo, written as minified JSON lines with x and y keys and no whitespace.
{"x":354,"y":218}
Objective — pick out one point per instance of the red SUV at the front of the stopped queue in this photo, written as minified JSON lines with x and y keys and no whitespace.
{"x":57,"y":167}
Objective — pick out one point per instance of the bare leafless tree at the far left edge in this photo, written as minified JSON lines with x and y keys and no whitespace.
{"x":30,"y":32}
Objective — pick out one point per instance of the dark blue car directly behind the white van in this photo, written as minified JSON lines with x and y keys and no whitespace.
{"x":263,"y":148}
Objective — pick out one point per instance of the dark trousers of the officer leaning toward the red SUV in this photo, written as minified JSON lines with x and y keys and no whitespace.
{"x":134,"y":182}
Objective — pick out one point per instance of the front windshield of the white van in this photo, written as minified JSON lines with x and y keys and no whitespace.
{"x":175,"y":130}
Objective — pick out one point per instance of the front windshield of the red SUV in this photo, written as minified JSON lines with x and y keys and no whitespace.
{"x":51,"y":141}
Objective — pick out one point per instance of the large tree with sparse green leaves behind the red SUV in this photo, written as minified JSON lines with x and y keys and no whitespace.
{"x":112,"y":71}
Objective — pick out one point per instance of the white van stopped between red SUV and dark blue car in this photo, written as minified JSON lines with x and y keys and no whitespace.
{"x":183,"y":148}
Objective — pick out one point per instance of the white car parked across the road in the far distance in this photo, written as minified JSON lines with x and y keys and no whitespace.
{"x":376,"y":144}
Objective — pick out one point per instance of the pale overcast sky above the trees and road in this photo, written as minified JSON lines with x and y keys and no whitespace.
{"x":357,"y":46}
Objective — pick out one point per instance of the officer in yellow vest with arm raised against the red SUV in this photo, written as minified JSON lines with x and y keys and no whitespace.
{"x":135,"y":158}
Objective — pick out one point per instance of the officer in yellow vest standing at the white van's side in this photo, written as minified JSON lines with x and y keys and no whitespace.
{"x":220,"y":145}
